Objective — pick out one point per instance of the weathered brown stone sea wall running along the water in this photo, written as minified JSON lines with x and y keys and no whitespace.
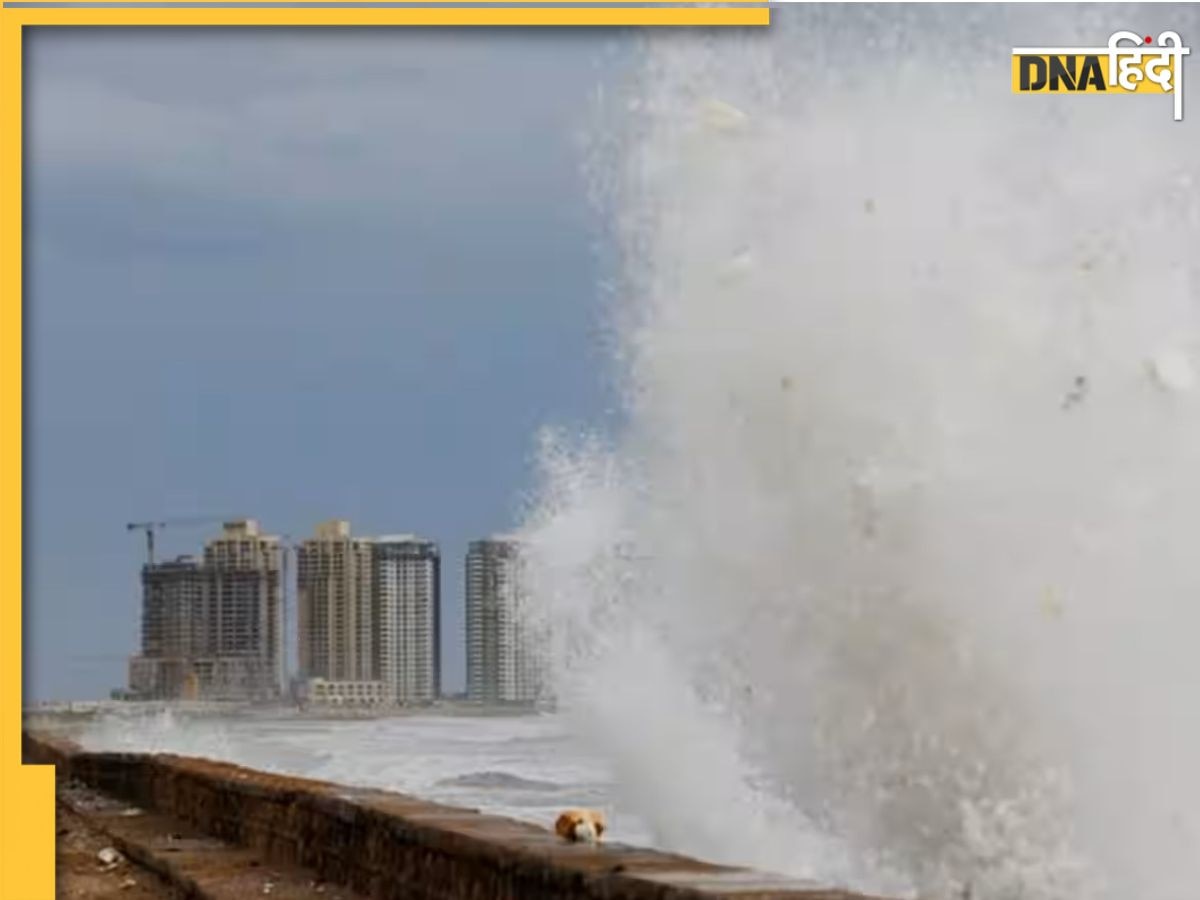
{"x":391,"y":847}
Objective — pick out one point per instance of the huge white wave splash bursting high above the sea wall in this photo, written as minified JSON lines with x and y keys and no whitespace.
{"x":891,"y":578}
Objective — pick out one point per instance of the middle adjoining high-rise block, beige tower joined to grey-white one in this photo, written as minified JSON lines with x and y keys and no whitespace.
{"x":369,"y":617}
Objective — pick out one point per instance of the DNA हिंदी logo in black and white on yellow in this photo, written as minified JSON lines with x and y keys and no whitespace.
{"x":1131,"y":64}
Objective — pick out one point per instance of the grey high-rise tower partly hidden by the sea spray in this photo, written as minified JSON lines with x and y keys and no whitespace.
{"x":506,"y":652}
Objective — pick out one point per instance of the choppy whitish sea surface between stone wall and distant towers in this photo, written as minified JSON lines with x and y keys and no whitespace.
{"x":525,"y":767}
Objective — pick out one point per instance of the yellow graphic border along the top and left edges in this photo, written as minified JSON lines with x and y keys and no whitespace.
{"x":27,"y":793}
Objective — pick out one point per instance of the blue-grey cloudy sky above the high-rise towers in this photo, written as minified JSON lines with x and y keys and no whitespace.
{"x":295,"y":275}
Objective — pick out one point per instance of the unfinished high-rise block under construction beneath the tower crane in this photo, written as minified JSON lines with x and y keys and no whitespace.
{"x":212,"y":628}
